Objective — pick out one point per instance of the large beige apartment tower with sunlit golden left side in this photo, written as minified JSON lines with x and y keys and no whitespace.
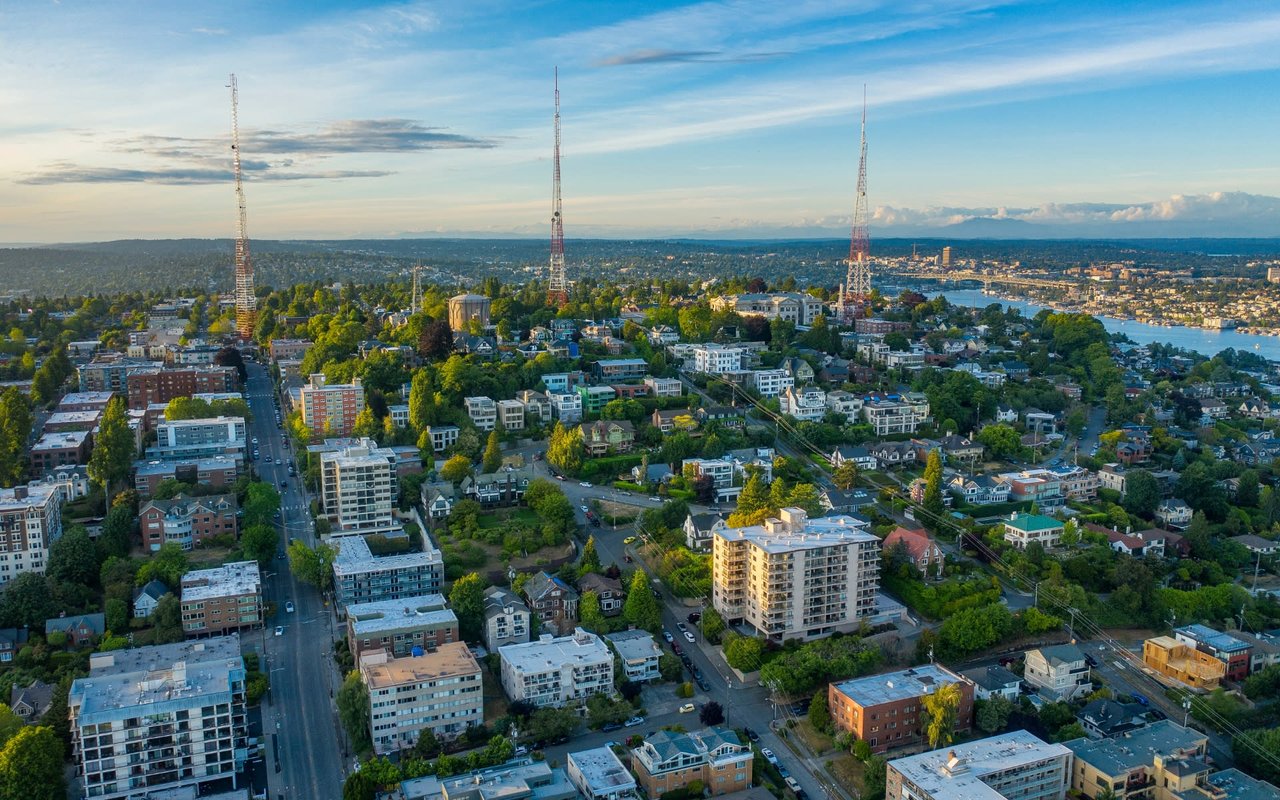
{"x":797,"y":578}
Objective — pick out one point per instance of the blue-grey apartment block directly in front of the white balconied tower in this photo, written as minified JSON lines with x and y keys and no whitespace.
{"x":359,"y":577}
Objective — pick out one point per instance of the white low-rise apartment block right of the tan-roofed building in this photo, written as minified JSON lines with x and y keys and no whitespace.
{"x":554,"y":673}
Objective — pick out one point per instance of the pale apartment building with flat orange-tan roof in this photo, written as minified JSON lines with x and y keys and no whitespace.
{"x":440,"y":692}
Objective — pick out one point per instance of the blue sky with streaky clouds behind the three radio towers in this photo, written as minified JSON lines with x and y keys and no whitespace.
{"x":728,"y":120}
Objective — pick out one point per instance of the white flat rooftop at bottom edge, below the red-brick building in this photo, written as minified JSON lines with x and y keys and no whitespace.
{"x":959,"y":772}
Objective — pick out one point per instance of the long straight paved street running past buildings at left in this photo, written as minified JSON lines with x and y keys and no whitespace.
{"x":307,"y":761}
